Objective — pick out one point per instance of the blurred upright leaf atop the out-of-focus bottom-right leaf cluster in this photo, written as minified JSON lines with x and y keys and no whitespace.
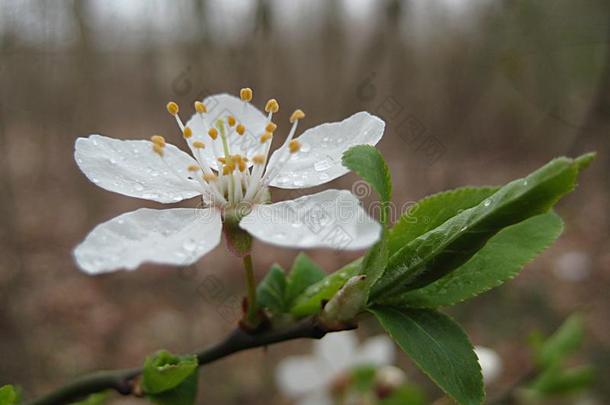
{"x":565,"y":341}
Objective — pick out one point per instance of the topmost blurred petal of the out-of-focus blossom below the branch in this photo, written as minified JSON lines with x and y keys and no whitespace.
{"x":337,"y":350}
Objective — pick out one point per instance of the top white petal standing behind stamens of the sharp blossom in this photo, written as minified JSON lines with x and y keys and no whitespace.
{"x":219,"y":107}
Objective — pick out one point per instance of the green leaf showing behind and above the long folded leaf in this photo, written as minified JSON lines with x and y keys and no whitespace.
{"x":432,"y":211}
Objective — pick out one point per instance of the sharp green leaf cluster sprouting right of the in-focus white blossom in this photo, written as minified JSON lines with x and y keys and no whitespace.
{"x":451,"y":247}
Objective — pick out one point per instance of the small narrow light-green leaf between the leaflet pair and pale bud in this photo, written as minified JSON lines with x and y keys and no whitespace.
{"x":310,"y":301}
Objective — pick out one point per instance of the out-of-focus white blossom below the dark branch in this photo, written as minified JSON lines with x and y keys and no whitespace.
{"x":310,"y":378}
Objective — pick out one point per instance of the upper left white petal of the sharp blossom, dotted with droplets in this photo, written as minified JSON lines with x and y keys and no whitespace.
{"x":131,"y":168}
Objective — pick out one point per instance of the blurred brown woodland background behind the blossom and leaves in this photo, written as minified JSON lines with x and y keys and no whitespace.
{"x":473,"y":92}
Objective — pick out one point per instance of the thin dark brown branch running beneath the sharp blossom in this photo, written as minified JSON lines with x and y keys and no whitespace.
{"x":125,"y":381}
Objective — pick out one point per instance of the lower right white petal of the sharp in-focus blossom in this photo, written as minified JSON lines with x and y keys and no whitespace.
{"x":331,"y":219}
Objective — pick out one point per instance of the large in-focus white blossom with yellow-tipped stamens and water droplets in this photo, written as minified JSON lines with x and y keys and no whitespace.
{"x":230,"y":141}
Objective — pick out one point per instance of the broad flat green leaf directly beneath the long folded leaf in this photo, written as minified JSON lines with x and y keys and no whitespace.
{"x":501,"y":259}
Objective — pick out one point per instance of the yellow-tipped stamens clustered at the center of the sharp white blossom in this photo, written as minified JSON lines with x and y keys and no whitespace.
{"x":232,"y":181}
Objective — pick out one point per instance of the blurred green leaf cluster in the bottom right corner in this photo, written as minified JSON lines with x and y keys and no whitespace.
{"x":553,"y":378}
